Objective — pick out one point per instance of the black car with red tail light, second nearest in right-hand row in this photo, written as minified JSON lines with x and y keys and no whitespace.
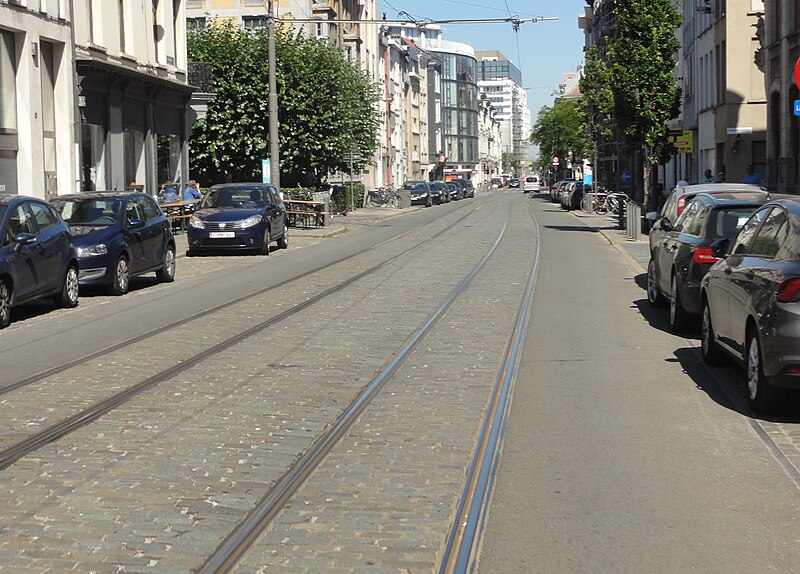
{"x":681,"y":257}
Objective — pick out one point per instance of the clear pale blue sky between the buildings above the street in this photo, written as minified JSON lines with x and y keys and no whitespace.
{"x":541,"y":50}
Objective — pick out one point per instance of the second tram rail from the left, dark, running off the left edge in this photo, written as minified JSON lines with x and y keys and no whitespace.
{"x":13,"y":453}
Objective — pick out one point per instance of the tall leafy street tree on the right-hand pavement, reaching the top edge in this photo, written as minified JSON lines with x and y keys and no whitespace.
{"x":629,"y":77}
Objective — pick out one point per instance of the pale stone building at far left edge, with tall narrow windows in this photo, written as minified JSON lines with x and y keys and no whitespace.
{"x":38,"y":143}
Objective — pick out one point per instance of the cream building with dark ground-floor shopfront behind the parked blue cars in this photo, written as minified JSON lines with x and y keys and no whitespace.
{"x":130,"y":58}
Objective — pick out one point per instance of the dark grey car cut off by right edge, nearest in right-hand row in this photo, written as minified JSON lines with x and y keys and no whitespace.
{"x":751,"y":303}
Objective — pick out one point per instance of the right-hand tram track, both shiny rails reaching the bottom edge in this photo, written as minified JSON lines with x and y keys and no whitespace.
{"x":460,"y":552}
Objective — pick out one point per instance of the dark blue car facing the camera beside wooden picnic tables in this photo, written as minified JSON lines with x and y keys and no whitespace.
{"x":236,"y":216}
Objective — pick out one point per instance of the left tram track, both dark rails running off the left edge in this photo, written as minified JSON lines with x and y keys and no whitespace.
{"x":85,"y":416}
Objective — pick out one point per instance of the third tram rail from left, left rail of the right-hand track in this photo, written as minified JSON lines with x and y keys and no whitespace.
{"x":237,"y":543}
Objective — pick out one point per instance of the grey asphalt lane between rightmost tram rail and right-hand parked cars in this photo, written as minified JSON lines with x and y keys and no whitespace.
{"x":624,"y":453}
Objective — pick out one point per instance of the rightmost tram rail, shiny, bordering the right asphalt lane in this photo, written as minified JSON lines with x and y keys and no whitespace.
{"x":463,"y":542}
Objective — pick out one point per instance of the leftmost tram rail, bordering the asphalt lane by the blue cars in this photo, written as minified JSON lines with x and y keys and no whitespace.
{"x":204,"y":313}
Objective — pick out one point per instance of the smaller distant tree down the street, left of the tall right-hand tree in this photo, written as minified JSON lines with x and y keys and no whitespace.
{"x":560,"y":131}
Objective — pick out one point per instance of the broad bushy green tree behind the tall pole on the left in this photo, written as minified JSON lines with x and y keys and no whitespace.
{"x":327,"y":106}
